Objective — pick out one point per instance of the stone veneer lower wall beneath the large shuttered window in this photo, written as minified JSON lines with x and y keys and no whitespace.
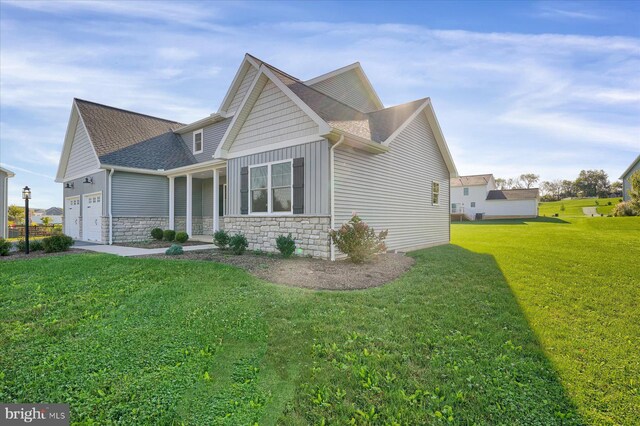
{"x":311,"y":233}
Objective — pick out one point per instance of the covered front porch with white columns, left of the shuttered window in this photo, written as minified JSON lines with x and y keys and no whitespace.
{"x":198,"y":202}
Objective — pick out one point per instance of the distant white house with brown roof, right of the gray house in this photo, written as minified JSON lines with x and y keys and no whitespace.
{"x":477,"y":197}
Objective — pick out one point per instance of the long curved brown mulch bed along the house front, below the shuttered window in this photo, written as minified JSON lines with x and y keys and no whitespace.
{"x":310,"y":273}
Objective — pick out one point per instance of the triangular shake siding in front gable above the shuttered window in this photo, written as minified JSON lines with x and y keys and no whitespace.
{"x":273,"y":118}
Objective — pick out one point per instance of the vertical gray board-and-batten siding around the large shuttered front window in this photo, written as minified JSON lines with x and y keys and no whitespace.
{"x":316,"y":174}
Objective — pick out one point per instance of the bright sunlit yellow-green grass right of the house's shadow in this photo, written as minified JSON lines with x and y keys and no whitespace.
{"x":578,"y":284}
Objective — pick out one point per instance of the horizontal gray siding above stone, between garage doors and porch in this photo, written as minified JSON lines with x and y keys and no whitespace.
{"x":136,"y":194}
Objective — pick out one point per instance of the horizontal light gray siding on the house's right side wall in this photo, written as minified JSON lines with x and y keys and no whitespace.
{"x":393,"y":190}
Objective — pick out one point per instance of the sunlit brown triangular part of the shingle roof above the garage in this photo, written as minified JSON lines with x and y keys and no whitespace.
{"x":112,"y":129}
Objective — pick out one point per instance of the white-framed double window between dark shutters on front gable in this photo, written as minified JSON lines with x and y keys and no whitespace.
{"x":270,"y":188}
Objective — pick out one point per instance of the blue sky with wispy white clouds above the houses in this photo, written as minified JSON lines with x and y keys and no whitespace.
{"x":544,"y":87}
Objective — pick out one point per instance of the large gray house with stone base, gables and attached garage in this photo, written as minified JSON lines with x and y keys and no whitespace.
{"x":281,"y":155}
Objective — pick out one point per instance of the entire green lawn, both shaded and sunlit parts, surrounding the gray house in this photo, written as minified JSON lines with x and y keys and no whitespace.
{"x":514,"y":323}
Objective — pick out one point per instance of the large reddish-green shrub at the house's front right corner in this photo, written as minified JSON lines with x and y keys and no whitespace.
{"x":358,"y":241}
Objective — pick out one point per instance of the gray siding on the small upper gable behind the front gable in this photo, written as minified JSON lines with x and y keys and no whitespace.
{"x":348,"y":89}
